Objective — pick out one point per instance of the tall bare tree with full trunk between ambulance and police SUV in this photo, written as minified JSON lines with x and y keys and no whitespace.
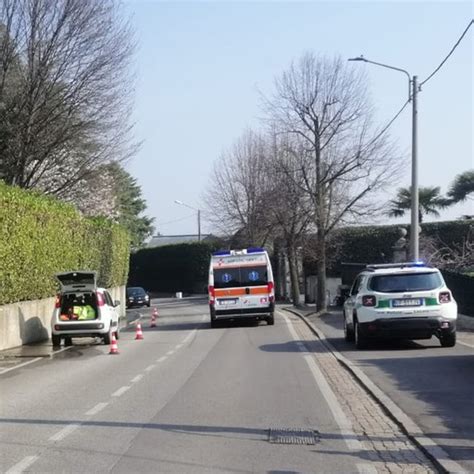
{"x":324,"y":102}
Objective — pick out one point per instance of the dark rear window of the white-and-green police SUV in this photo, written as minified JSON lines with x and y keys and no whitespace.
{"x":406,"y":282}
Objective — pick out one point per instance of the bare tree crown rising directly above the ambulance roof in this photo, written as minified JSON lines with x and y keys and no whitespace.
{"x":237,"y":193}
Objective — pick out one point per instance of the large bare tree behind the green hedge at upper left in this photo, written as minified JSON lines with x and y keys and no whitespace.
{"x":65,"y":91}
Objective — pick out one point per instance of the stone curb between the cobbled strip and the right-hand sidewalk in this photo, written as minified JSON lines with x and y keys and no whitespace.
{"x":436,"y":454}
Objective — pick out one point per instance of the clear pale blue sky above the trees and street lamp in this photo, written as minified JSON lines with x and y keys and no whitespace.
{"x":200,"y":66}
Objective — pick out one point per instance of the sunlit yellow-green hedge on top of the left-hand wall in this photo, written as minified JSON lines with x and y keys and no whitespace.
{"x":40,"y":236}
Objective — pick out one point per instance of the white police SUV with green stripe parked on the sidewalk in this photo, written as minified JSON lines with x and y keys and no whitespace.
{"x":400,"y":301}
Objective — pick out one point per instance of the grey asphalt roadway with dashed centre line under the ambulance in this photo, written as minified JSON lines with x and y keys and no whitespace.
{"x":187,"y":398}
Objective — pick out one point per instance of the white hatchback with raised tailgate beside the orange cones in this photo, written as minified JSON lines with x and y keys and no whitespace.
{"x":83,"y":310}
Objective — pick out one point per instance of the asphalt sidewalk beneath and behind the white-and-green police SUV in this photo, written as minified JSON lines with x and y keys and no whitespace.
{"x":433,"y":385}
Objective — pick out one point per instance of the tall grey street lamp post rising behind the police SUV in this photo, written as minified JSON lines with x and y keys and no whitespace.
{"x":412,"y":96}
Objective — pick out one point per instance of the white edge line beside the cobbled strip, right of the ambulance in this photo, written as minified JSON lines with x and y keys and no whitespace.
{"x":342,"y":421}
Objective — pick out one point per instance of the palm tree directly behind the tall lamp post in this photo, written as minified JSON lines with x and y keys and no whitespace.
{"x":430,"y":200}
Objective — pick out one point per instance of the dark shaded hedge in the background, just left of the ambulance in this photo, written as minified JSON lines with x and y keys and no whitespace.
{"x":172,"y":268}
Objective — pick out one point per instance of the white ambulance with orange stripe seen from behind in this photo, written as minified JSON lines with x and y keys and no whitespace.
{"x":241,"y":285}
